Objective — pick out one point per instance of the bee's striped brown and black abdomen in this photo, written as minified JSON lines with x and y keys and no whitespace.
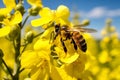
{"x":79,"y":41}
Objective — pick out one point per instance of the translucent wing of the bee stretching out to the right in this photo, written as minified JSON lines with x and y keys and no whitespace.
{"x":79,"y":29}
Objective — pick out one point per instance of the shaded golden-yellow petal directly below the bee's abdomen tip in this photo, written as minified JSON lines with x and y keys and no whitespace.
{"x":77,"y":67}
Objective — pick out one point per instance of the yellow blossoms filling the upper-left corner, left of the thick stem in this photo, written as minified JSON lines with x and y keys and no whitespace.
{"x":9,"y":20}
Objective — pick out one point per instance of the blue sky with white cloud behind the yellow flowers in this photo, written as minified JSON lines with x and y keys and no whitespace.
{"x":97,"y":11}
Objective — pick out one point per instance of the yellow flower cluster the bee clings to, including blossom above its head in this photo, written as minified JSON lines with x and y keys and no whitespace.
{"x":48,"y":59}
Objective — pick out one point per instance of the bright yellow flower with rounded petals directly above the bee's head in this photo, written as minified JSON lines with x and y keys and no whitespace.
{"x":58,"y":16}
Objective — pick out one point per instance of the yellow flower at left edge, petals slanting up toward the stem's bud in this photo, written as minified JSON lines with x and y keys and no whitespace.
{"x":8,"y":24}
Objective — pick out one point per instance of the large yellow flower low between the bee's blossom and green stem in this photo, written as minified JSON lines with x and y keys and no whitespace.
{"x":37,"y":60}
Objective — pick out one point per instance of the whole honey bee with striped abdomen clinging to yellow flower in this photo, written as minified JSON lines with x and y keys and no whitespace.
{"x":73,"y":34}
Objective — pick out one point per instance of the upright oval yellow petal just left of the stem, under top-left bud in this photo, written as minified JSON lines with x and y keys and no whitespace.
{"x":16,"y":18}
